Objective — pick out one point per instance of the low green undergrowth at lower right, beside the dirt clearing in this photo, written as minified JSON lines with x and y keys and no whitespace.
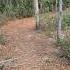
{"x":64,"y":45}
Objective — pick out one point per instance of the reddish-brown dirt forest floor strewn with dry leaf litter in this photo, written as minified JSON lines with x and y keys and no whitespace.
{"x":35,"y":51}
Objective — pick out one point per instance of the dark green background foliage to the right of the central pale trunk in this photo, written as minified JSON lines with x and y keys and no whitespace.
{"x":50,"y":5}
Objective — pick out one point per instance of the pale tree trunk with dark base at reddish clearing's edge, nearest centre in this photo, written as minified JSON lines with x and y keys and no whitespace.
{"x":36,"y":9}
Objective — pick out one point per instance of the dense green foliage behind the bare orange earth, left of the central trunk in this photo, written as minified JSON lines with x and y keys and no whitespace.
{"x":16,"y":8}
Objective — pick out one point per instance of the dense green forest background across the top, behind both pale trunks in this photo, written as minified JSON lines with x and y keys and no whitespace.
{"x":24,"y":8}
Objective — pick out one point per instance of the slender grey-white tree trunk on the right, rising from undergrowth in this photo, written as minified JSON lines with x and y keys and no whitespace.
{"x":59,"y":19}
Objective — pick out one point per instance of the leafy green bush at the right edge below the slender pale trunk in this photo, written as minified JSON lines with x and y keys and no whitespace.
{"x":65,"y":47}
